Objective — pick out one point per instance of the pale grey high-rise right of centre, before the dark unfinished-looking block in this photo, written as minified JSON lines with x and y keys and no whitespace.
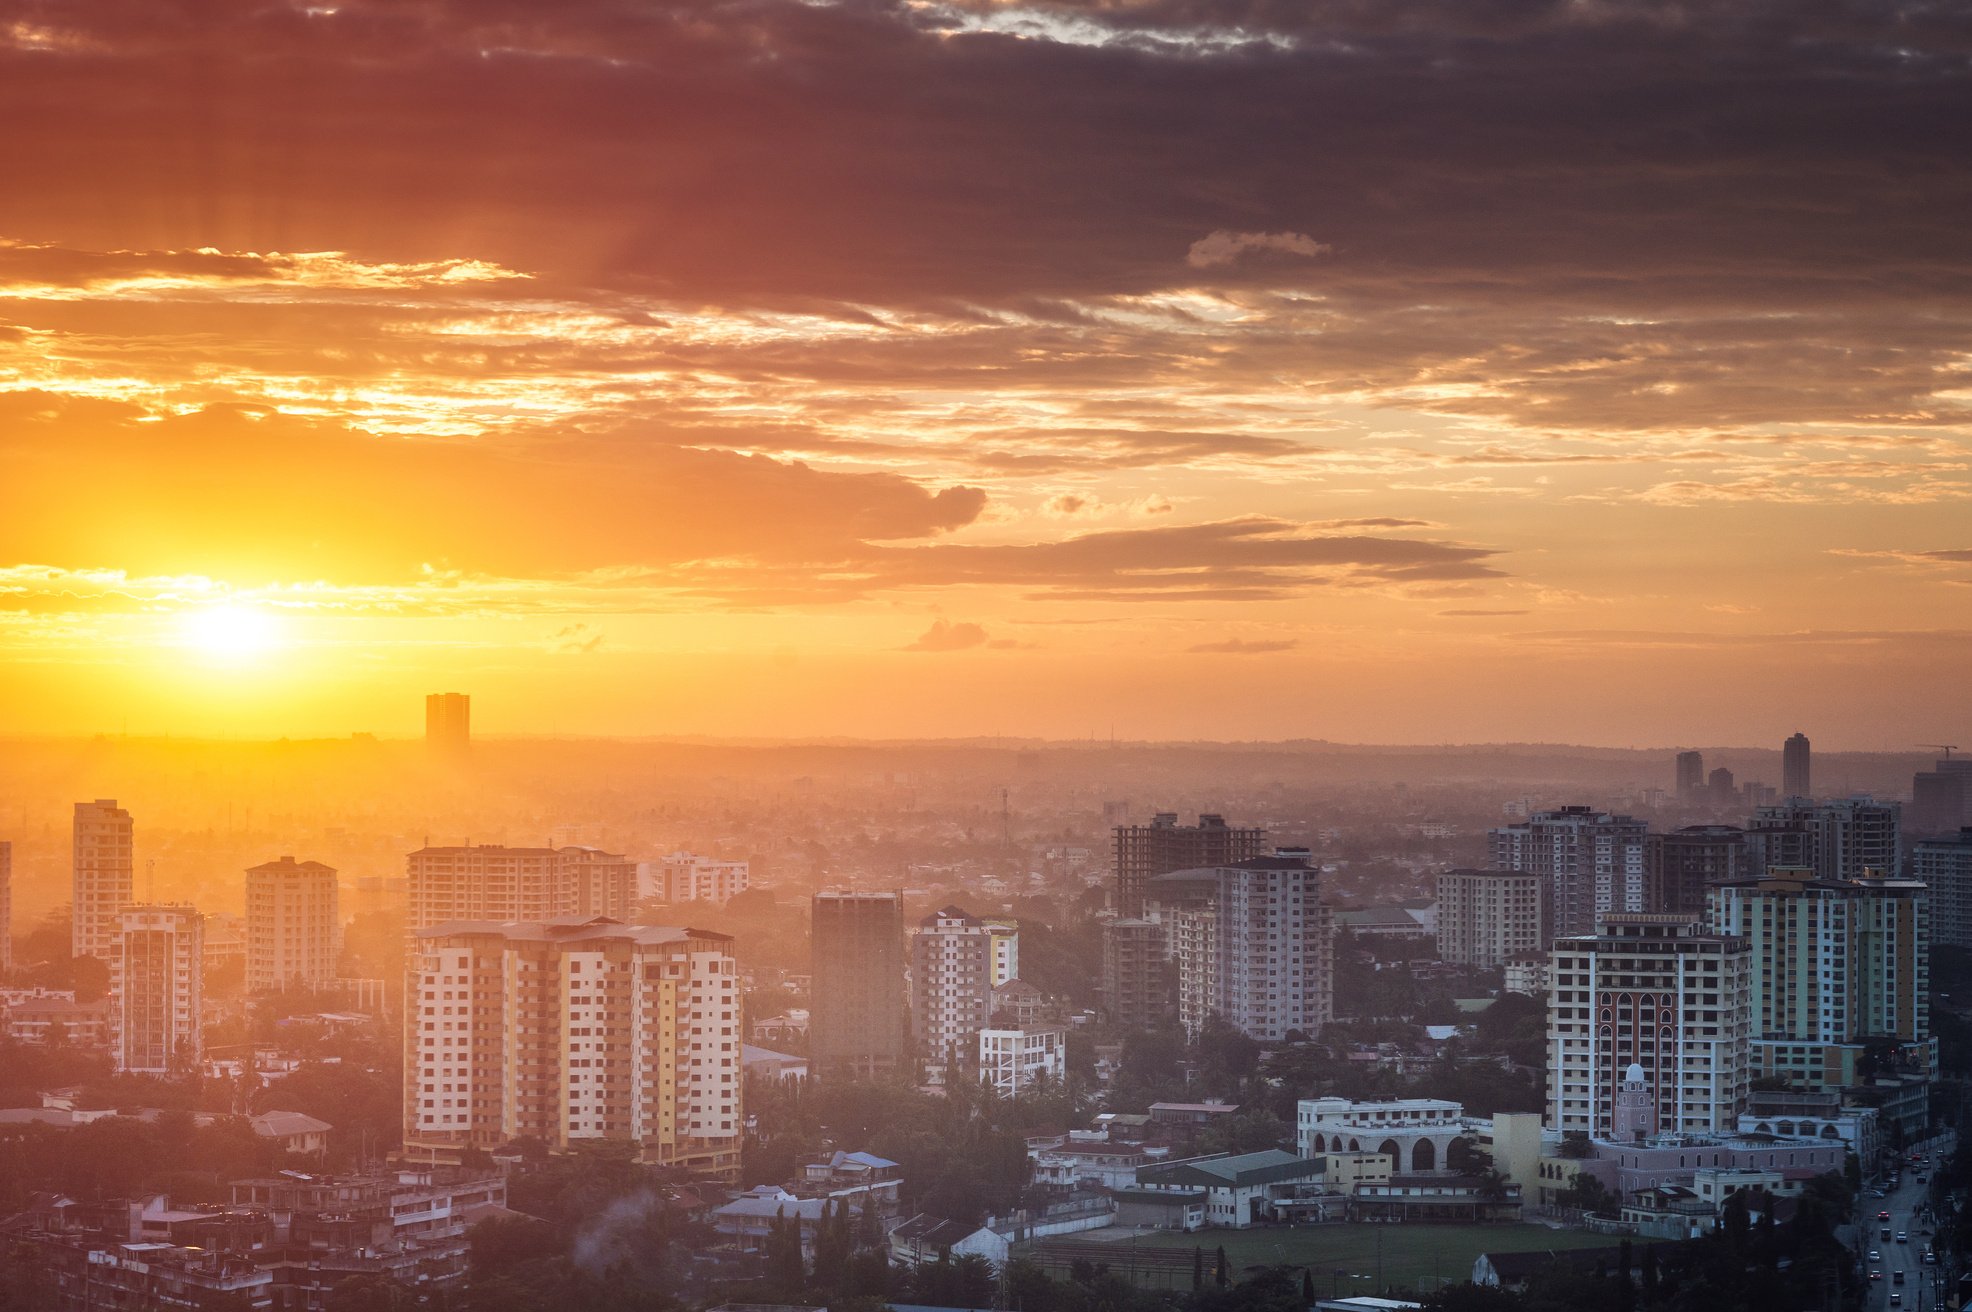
{"x":1257,"y":950}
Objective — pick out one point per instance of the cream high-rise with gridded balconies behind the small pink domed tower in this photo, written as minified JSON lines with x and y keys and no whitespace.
{"x":1655,"y":993}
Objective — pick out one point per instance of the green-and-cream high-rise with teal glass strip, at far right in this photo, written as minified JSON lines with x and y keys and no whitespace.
{"x":1837,"y":966}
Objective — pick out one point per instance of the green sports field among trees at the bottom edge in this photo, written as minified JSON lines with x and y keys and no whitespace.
{"x":1413,"y":1256}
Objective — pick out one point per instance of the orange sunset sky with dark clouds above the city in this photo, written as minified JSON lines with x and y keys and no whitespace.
{"x":1358,"y":370}
